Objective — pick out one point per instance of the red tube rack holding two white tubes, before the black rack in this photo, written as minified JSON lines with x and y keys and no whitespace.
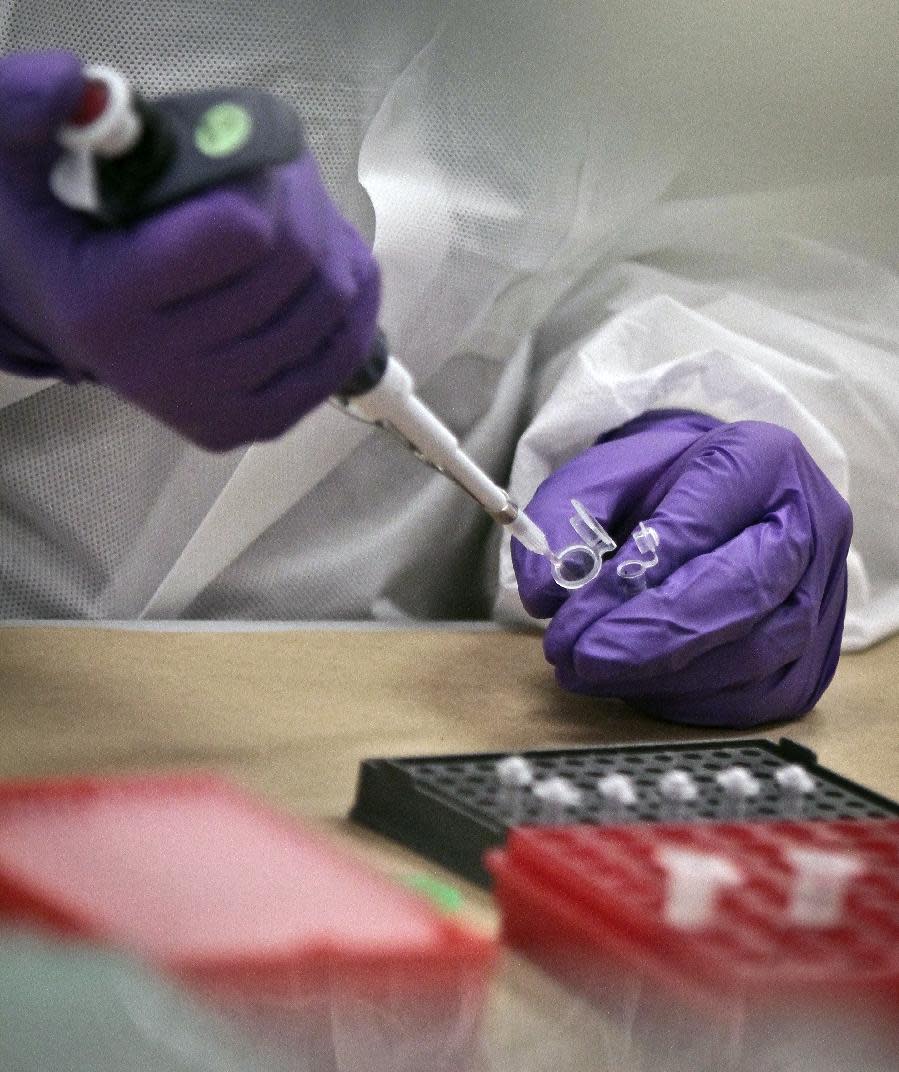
{"x":588,"y":904}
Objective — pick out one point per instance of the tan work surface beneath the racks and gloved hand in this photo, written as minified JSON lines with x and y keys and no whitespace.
{"x":291,"y":714}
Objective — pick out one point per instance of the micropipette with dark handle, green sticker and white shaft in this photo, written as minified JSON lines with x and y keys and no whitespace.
{"x":126,"y":158}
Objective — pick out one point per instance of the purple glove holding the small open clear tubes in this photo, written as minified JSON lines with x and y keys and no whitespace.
{"x":743,"y":620}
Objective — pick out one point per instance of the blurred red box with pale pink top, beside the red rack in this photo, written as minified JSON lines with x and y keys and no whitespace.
{"x":247,"y":909}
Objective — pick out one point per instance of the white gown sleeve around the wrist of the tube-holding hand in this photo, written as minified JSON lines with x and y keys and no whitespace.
{"x":737,"y":359}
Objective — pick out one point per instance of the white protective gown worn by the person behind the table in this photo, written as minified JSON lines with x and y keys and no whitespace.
{"x":581,"y":212}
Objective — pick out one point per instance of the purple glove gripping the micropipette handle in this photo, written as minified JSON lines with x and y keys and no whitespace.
{"x":229,"y":317}
